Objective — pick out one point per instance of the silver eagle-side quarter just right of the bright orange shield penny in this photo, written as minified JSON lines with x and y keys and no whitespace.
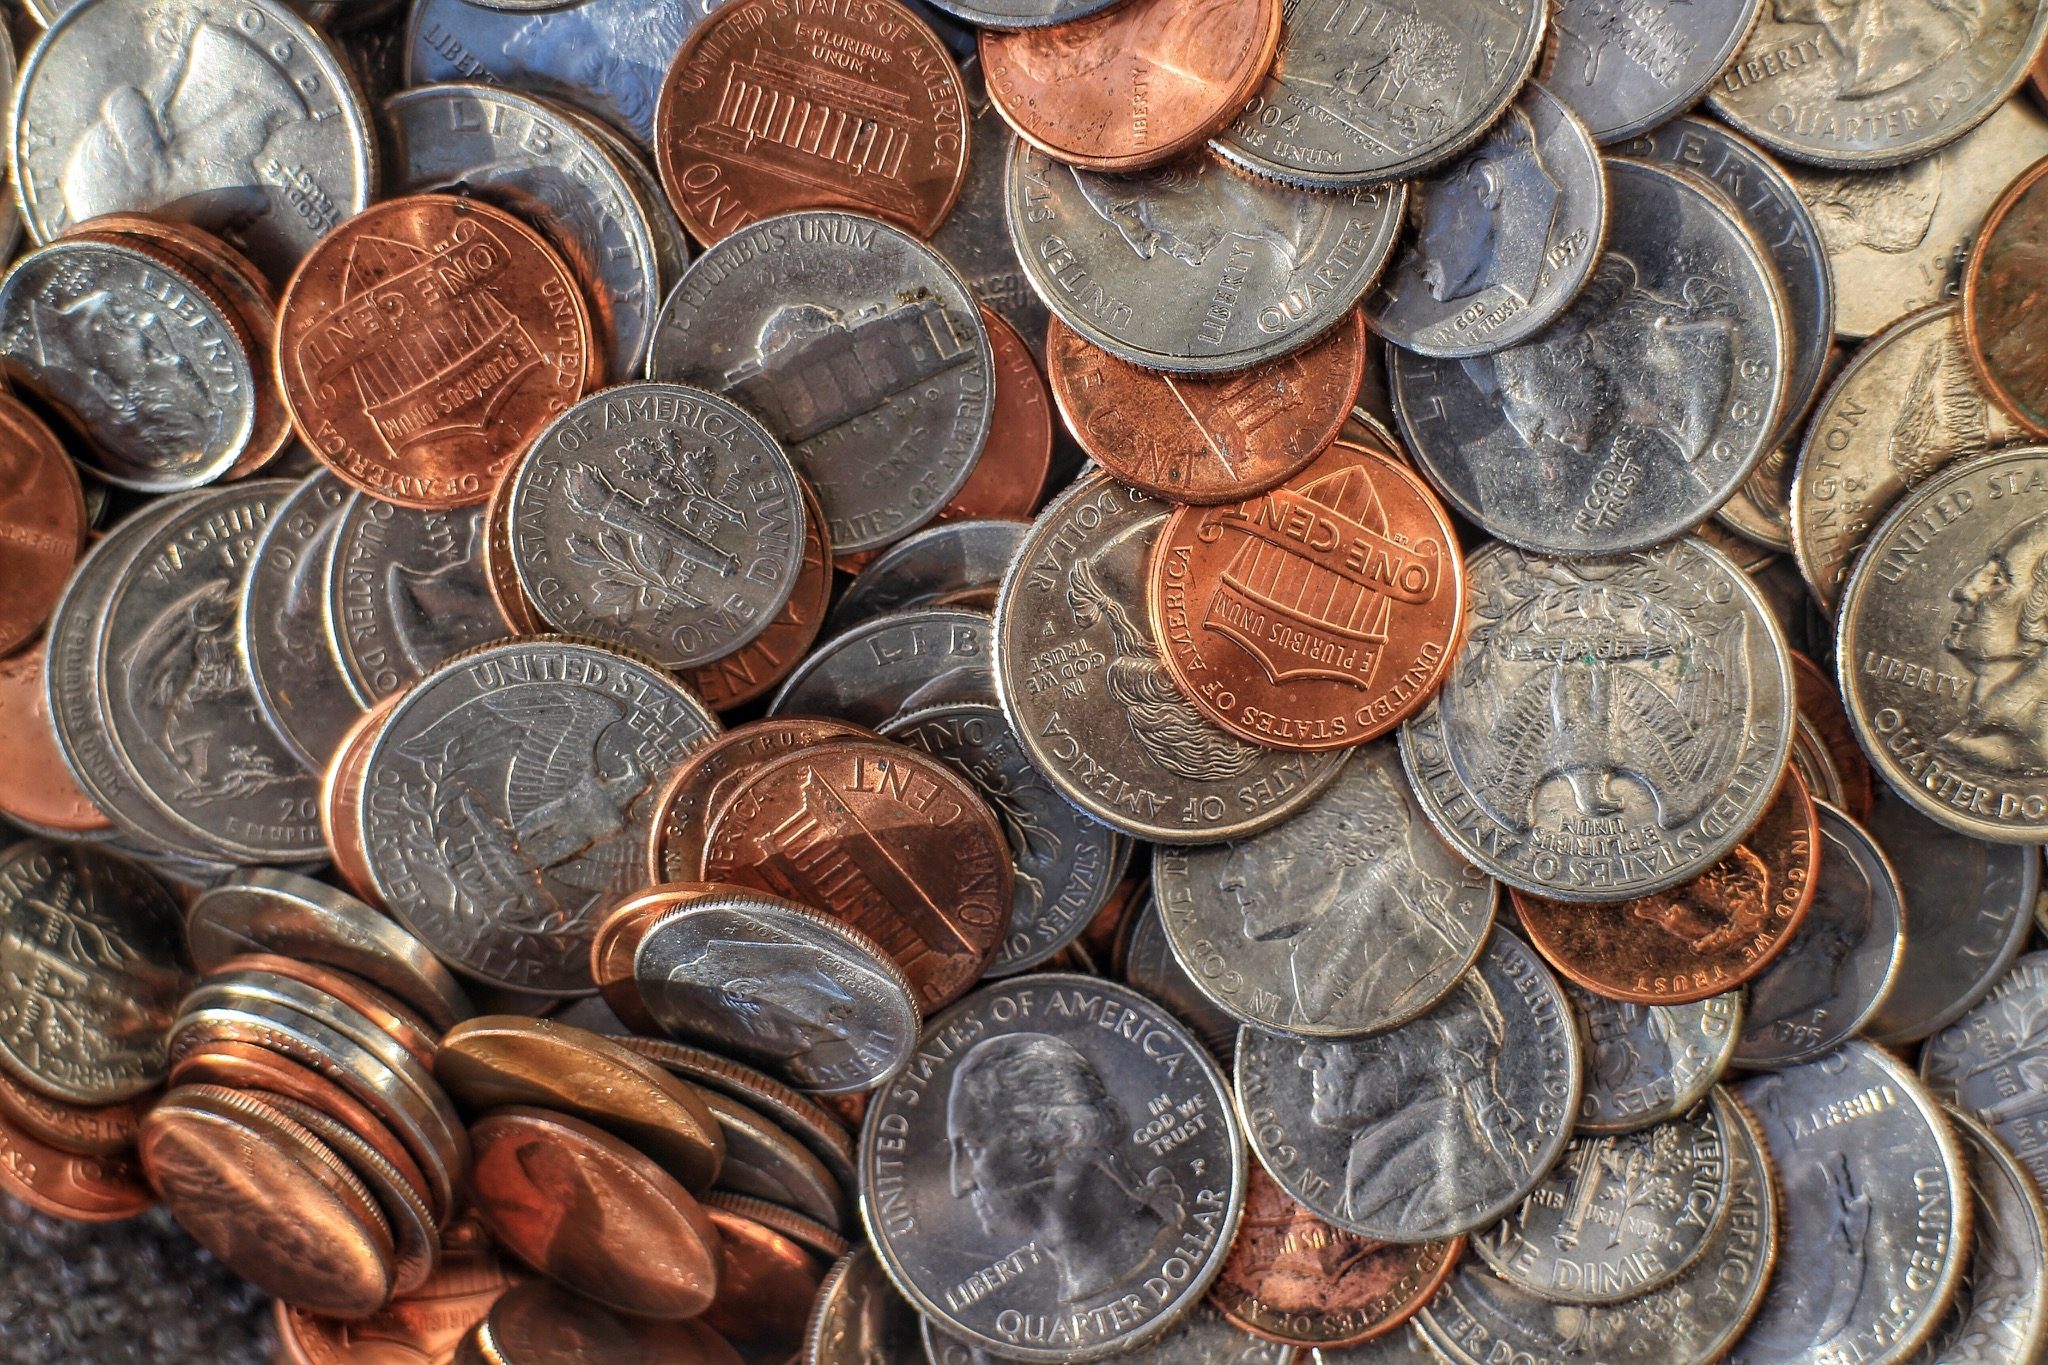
{"x":1535,"y":760}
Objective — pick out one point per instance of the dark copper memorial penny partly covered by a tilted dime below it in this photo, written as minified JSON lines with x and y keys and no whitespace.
{"x":884,"y":838}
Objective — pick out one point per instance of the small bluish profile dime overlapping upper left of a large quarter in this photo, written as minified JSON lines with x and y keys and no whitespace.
{"x":1504,"y":238}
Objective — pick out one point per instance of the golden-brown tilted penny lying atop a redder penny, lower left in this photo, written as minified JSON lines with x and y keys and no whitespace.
{"x":499,"y":1061}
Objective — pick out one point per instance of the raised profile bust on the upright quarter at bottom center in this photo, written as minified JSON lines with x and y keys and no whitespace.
{"x":1041,"y":1151}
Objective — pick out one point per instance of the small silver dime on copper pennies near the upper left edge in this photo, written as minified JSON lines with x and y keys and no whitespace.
{"x":171,"y":402}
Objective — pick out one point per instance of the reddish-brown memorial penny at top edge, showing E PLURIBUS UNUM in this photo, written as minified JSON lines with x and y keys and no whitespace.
{"x":826,"y":105}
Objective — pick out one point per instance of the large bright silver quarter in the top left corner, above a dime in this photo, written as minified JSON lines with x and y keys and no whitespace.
{"x":230,"y":114}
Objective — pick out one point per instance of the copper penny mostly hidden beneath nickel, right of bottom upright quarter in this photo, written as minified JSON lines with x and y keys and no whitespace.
{"x":1299,"y":1280}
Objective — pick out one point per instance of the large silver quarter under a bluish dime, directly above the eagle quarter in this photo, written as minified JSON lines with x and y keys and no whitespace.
{"x":1641,"y":408}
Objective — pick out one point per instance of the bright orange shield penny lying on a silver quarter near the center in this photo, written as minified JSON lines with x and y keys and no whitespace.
{"x":1318,"y":615}
